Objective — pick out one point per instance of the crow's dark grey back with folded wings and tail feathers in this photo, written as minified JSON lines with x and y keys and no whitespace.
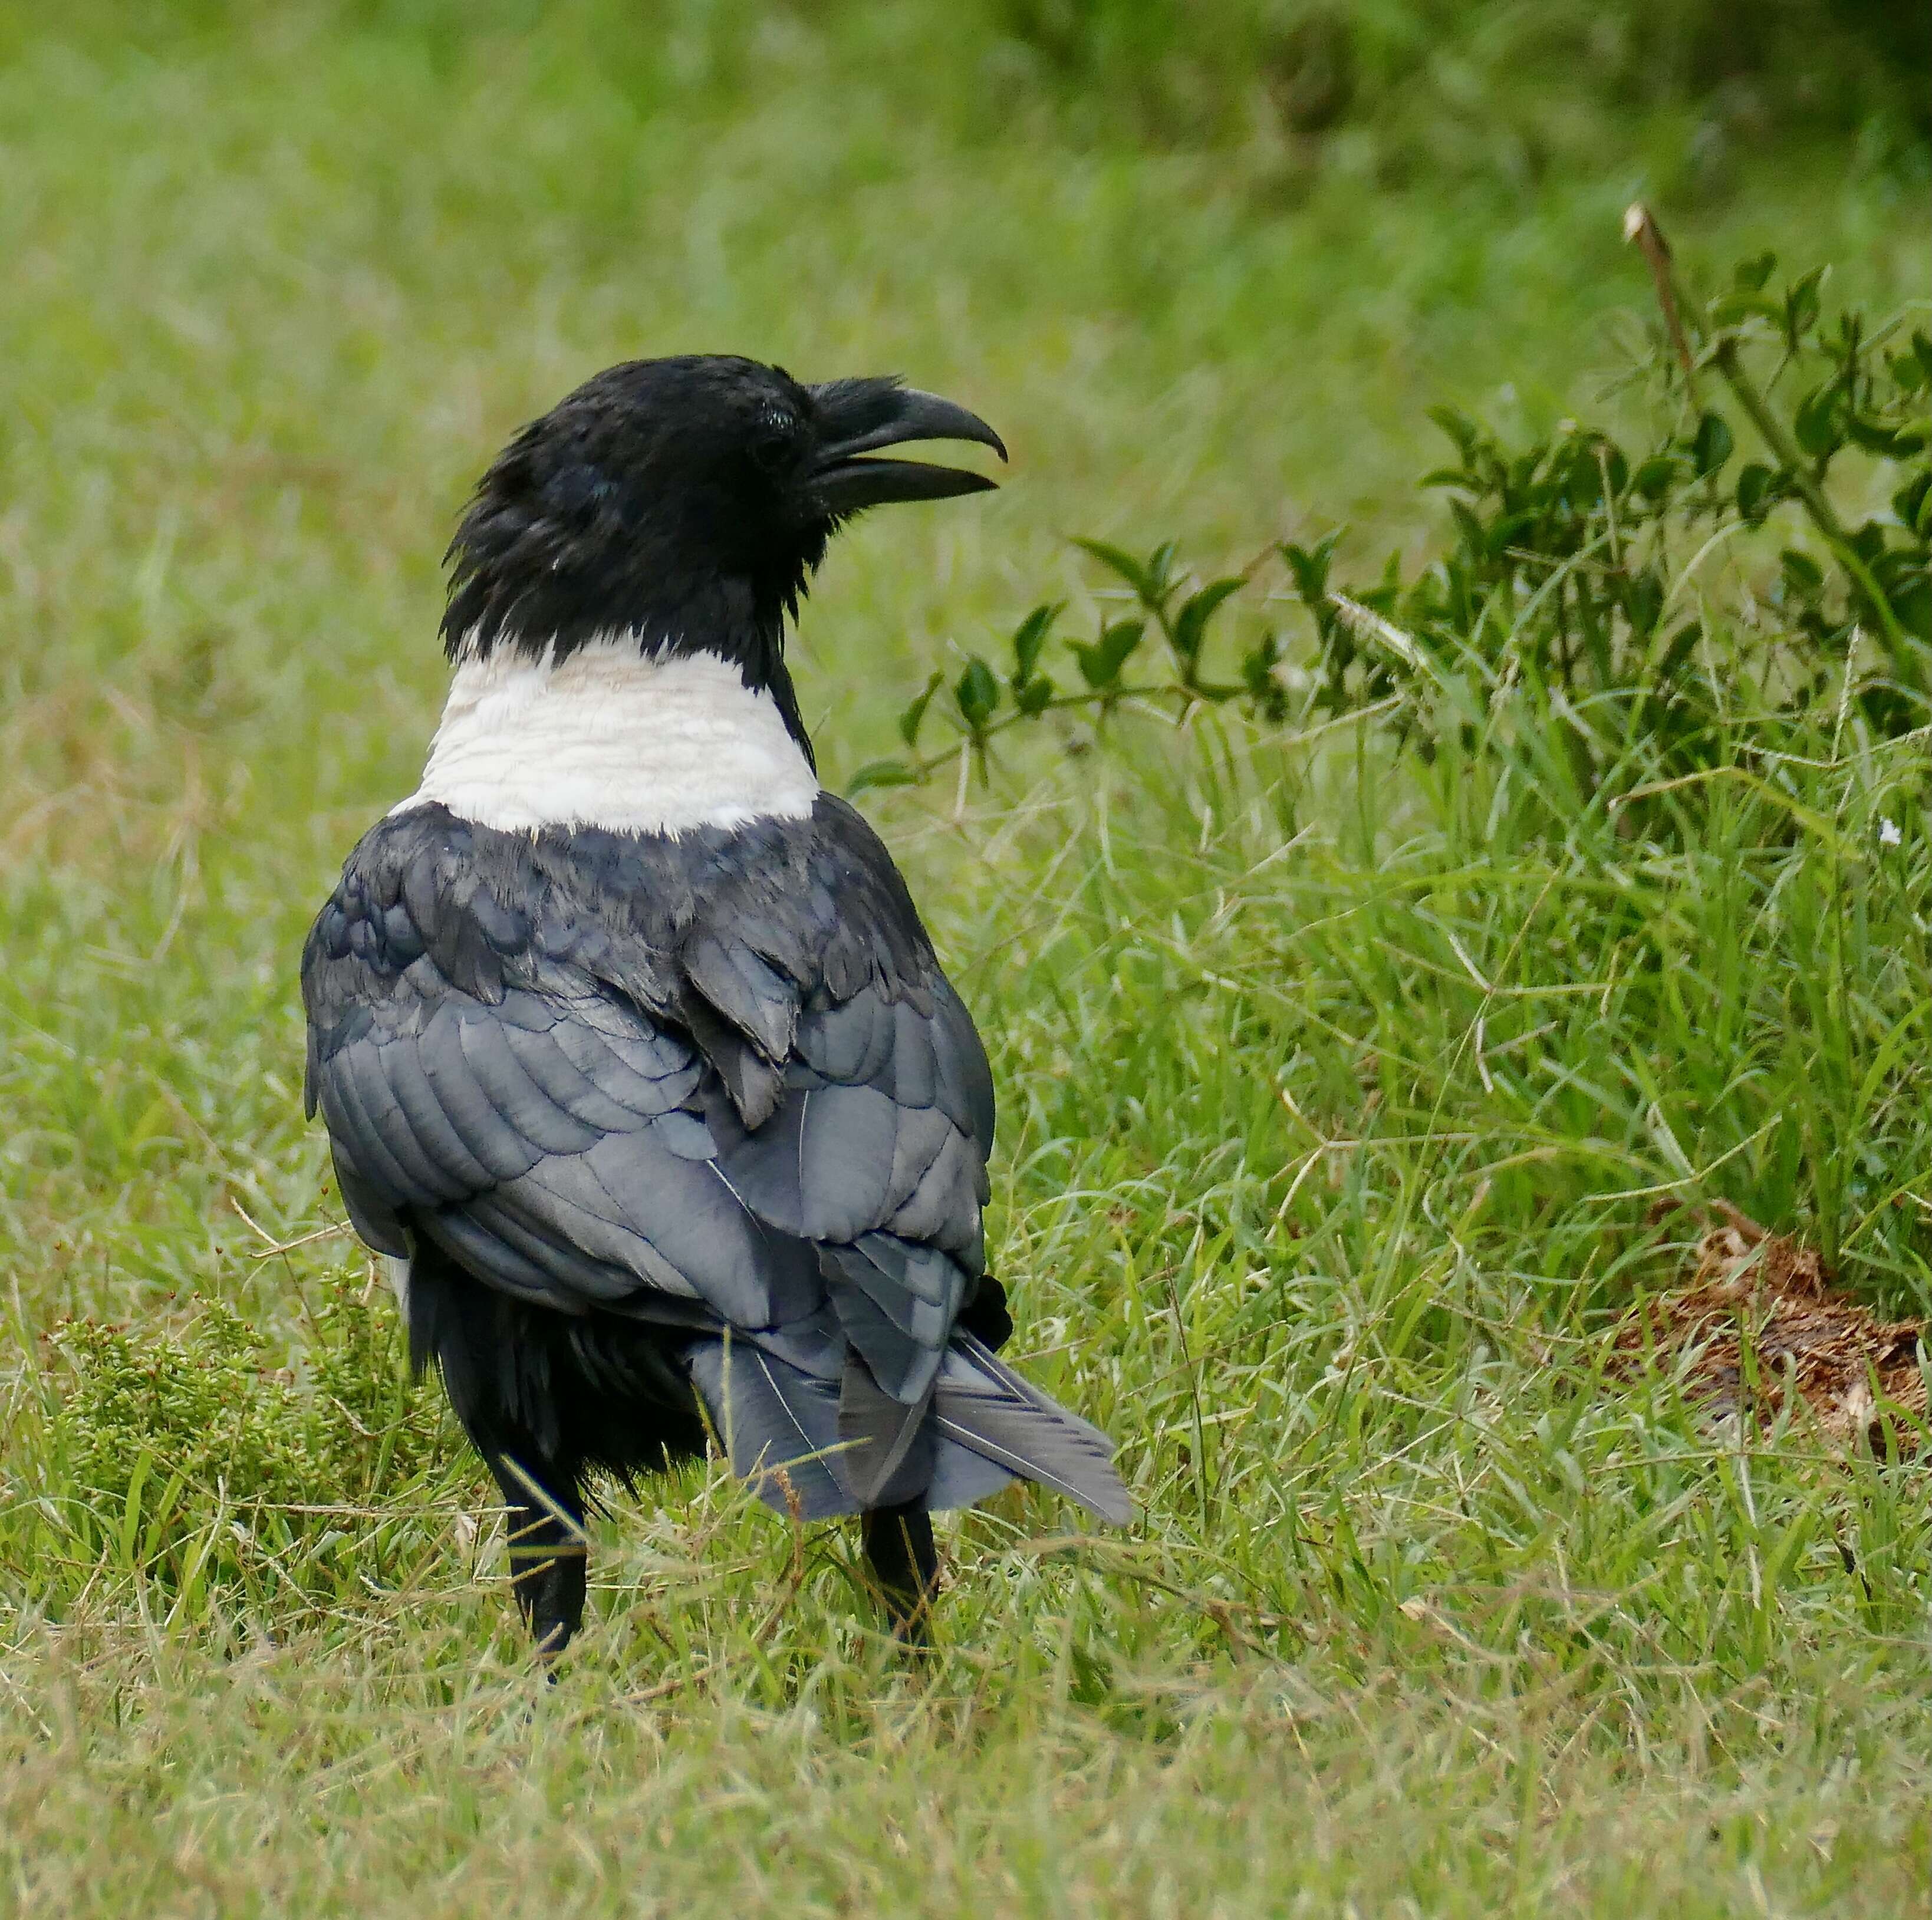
{"x":712,"y":1081}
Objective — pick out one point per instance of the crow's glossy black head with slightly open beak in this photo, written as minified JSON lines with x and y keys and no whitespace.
{"x":685,"y":501}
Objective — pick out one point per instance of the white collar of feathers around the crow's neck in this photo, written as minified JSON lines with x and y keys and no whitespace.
{"x":611,"y":739}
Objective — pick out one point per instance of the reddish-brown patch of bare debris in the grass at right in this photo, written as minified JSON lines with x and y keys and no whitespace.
{"x":1767,"y":1295}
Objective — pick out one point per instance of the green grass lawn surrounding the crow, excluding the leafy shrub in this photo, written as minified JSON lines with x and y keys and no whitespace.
{"x":1336,"y":1090}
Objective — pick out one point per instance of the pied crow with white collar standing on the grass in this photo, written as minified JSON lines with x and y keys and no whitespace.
{"x":635,"y":1056}
